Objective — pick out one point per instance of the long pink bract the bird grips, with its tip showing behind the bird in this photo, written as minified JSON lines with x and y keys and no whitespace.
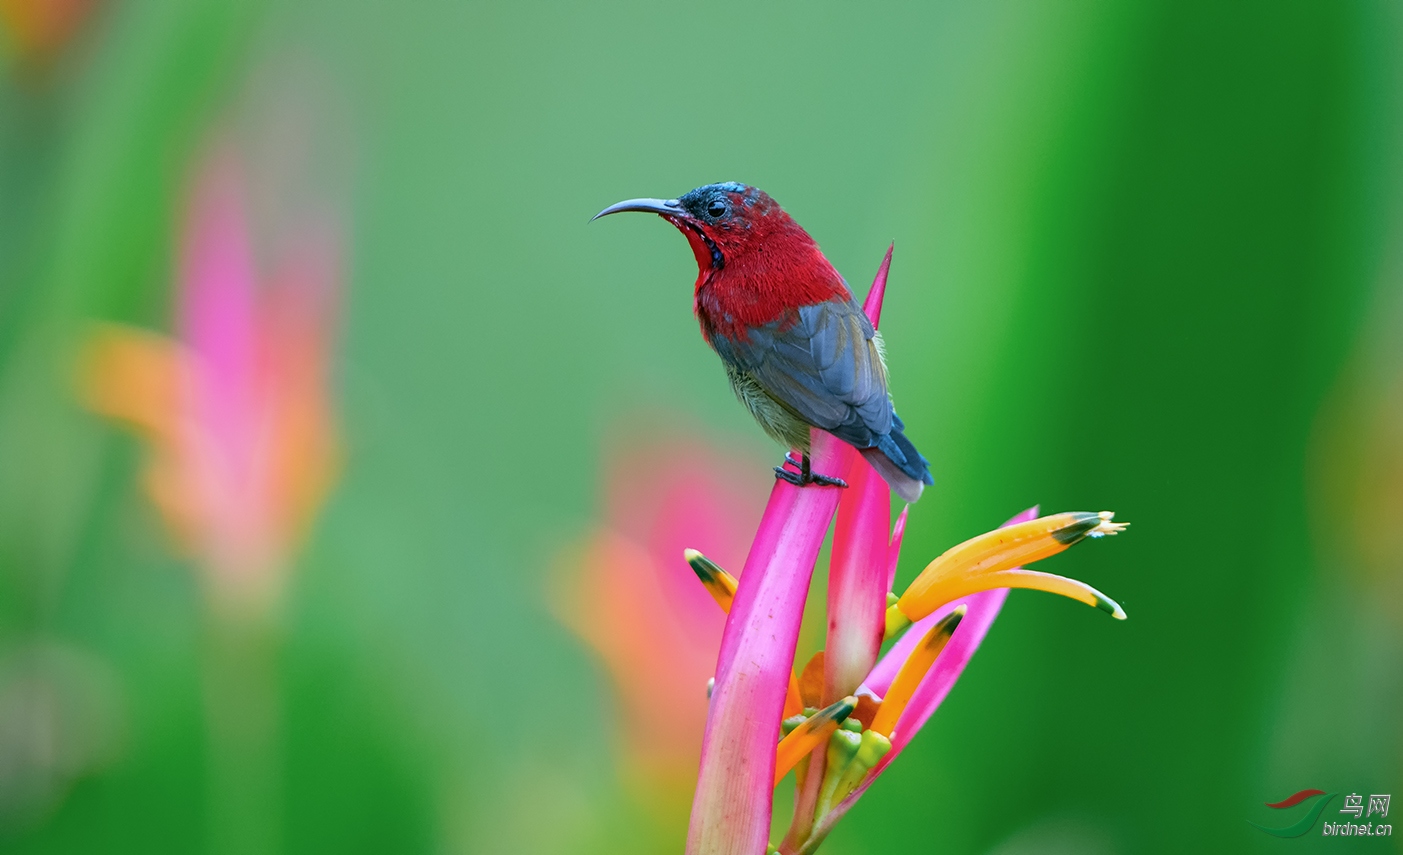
{"x":736,"y":787}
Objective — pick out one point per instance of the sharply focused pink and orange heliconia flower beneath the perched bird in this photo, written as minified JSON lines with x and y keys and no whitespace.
{"x":858,"y":712}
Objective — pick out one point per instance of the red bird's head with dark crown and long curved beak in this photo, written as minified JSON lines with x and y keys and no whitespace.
{"x":730,"y":225}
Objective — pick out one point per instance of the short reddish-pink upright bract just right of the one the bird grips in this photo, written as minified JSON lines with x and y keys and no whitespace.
{"x":858,"y":582}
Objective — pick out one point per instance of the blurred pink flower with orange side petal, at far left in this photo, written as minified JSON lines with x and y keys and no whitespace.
{"x":236,"y":413}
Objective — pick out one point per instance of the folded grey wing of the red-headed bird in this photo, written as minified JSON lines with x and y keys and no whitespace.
{"x":823,"y":364}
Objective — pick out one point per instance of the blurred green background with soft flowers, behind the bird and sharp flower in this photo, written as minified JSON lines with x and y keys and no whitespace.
{"x":1148,"y":259}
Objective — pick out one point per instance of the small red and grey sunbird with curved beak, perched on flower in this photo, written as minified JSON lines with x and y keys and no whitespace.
{"x":798,"y":349}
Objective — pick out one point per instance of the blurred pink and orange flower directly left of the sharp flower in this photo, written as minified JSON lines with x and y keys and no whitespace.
{"x":626,"y":590}
